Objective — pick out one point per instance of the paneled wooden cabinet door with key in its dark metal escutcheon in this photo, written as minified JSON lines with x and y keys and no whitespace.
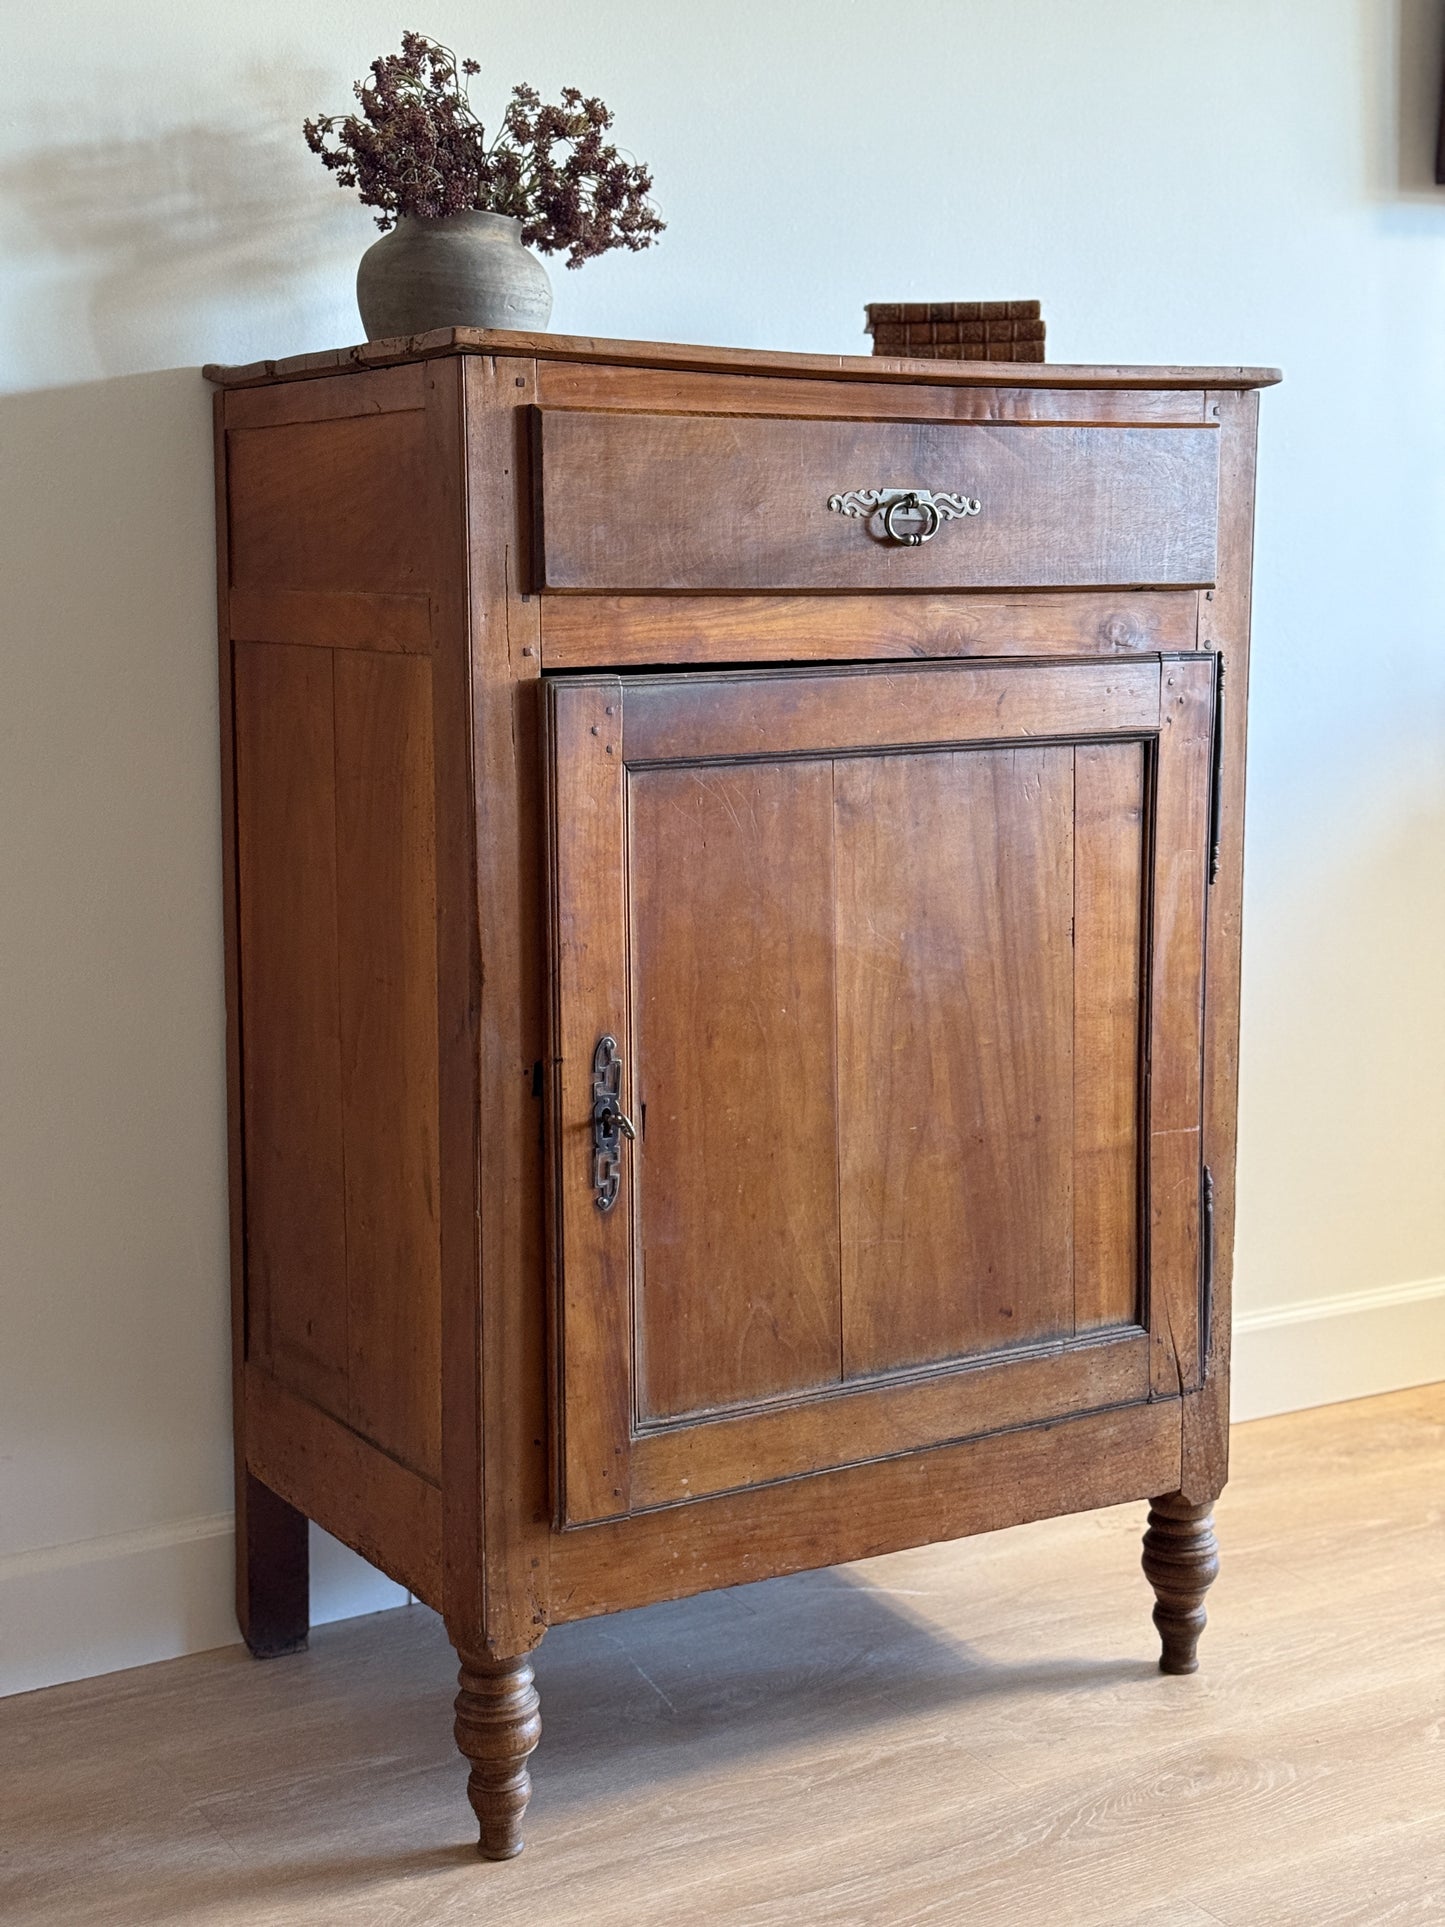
{"x":897,"y":974}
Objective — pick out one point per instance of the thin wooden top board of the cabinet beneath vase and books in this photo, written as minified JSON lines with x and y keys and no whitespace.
{"x":727,"y":361}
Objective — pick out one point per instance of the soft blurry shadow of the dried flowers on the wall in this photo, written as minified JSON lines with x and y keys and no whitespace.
{"x":155,"y":246}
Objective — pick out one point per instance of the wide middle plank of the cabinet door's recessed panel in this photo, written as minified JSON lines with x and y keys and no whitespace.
{"x":955,"y":1053}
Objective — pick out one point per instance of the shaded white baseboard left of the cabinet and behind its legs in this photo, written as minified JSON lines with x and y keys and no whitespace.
{"x":130,"y":1598}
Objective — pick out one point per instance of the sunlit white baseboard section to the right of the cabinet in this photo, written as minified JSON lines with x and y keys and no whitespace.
{"x":1323,"y":1352}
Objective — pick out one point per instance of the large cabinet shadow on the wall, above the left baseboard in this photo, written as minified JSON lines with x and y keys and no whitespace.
{"x":113,"y":1188}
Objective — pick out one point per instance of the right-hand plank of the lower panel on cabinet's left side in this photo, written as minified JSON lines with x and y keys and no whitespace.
{"x":388,"y":990}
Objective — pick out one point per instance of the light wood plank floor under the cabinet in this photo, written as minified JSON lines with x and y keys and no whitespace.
{"x":964,"y":1735}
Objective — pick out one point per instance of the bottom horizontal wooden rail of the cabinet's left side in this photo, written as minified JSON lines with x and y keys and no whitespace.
{"x":363,"y":1498}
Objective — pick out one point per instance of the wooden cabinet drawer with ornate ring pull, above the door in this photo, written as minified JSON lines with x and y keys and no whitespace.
{"x":714,"y":504}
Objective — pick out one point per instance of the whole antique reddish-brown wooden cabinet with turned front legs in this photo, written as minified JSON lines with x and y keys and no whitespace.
{"x":733,"y":936}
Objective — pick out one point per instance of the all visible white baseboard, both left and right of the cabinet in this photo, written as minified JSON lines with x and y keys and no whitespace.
{"x":74,"y":1612}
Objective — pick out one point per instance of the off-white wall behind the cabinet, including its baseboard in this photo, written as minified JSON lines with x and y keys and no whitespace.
{"x":1178,"y":180}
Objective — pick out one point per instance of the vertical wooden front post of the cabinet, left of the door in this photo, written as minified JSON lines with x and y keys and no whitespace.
{"x":508,"y":905}
